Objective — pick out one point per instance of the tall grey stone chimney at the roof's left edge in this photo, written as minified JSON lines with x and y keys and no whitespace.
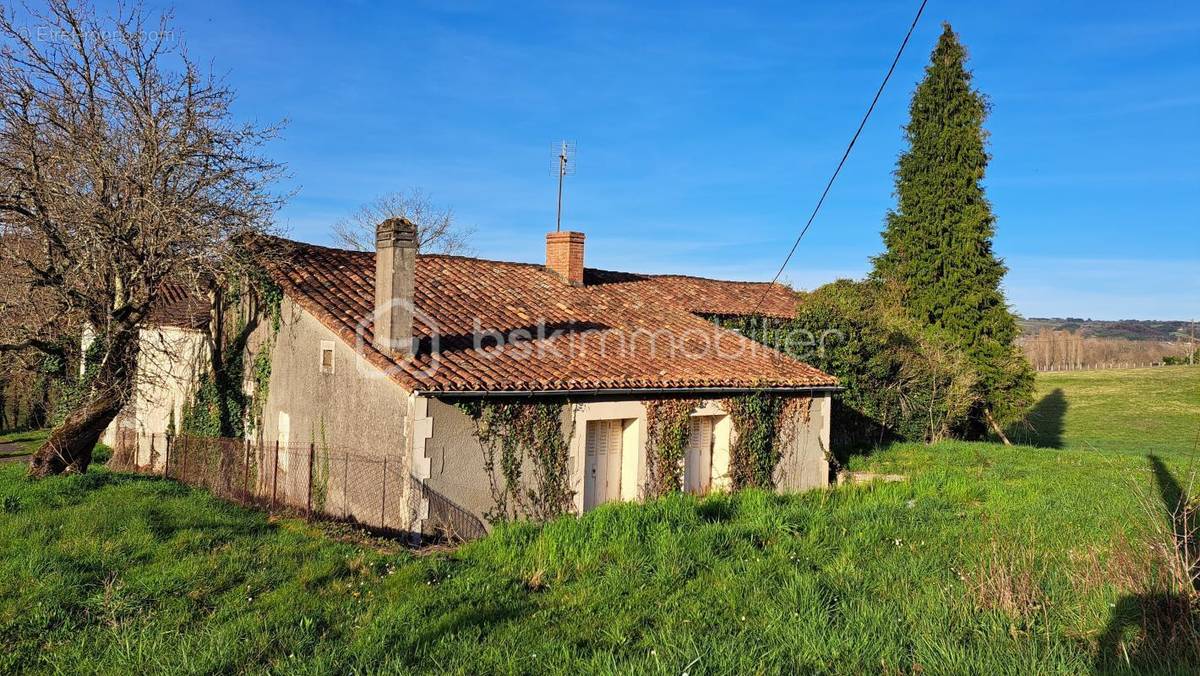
{"x":395,"y":270}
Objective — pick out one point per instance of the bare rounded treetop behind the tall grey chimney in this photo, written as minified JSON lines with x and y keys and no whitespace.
{"x":436,"y":229}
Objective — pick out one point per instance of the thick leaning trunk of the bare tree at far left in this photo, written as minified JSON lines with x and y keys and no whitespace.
{"x":70,"y":445}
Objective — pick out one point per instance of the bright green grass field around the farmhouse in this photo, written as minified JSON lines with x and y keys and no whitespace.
{"x":988,"y":560}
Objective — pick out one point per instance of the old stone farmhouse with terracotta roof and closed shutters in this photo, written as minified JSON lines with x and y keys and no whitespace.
{"x":377,"y":352}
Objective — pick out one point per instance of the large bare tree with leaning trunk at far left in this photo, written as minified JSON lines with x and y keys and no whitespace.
{"x":121,"y":169}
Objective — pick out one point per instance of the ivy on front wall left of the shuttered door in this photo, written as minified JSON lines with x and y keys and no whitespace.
{"x":517,"y":436}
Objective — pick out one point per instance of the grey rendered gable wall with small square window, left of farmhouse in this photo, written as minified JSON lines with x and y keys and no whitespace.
{"x":349,"y":420}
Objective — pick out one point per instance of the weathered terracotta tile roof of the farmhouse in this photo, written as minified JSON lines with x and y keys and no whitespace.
{"x":617,"y":332}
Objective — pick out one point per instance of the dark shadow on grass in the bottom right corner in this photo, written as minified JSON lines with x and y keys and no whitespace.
{"x":1159,"y":631}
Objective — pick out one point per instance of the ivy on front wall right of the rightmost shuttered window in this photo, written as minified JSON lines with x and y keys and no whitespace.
{"x":764,"y":427}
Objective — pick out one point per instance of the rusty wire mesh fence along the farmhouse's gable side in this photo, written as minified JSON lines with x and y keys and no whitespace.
{"x":319,"y":481}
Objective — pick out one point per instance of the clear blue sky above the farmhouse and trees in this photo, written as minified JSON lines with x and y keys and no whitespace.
{"x":706,"y":131}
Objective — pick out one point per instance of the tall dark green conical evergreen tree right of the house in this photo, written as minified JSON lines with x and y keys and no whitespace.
{"x":939,"y":237}
